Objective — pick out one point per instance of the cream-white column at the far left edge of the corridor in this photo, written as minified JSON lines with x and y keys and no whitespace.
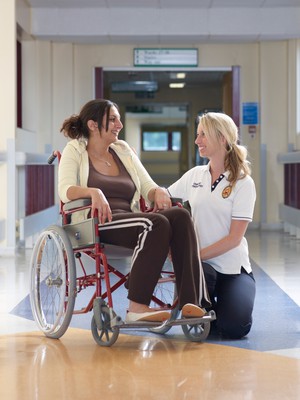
{"x":8,"y":123}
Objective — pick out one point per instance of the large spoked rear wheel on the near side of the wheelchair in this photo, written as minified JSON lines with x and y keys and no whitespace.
{"x":53,"y":282}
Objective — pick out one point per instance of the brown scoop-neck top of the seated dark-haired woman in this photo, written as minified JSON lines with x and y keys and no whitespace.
{"x":118,"y":190}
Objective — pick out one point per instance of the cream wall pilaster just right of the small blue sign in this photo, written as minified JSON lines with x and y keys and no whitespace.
{"x":274,"y":119}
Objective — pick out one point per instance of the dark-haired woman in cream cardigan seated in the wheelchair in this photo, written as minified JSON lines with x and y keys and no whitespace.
{"x":95,"y":164}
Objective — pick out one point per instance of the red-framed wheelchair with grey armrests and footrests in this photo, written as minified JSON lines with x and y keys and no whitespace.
{"x":59,"y":274}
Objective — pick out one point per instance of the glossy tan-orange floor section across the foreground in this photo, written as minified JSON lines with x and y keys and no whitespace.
{"x":74,"y":367}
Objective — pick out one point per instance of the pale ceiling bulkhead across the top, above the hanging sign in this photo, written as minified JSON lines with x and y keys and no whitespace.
{"x":162,"y":22}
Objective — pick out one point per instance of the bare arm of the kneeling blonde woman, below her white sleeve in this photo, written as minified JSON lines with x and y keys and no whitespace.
{"x":233,"y":239}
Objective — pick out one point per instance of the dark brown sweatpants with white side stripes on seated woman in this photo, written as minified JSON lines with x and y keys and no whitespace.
{"x":151,"y":236}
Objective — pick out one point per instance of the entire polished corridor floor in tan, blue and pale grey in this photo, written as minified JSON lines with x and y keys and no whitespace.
{"x":141,"y":365}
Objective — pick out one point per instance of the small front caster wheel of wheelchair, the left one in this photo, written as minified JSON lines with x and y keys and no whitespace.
{"x":105,"y":336}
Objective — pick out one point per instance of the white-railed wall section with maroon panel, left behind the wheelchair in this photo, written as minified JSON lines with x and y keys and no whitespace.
{"x":30,"y":191}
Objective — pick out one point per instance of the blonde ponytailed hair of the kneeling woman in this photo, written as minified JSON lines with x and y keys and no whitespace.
{"x":218,"y":125}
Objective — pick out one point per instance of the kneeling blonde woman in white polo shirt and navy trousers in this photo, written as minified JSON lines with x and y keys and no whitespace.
{"x":222,"y":197}
